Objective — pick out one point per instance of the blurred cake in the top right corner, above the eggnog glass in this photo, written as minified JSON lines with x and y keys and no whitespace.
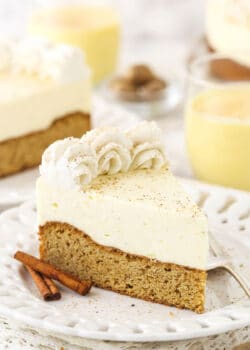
{"x":228,"y":32}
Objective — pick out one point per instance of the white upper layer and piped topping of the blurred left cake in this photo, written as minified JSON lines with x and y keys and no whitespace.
{"x":39,"y":83}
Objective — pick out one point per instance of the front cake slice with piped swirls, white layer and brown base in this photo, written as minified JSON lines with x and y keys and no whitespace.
{"x":109,"y":210}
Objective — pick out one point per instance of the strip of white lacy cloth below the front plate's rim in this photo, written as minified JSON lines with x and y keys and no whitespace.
{"x":17,"y":337}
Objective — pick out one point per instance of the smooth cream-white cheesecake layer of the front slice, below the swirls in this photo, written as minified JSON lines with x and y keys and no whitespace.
{"x":144,"y":212}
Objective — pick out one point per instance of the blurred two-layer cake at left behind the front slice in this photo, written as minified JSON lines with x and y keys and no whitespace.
{"x":45,"y":96}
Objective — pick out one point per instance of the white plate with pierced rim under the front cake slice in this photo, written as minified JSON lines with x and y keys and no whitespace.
{"x":108,"y":316}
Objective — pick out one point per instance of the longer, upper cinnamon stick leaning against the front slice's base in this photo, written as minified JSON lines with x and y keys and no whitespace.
{"x":48,"y":270}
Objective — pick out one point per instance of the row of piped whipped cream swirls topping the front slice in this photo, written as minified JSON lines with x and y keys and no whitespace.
{"x":73,"y":163}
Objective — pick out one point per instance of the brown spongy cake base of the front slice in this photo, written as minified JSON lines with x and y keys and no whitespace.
{"x":76,"y":253}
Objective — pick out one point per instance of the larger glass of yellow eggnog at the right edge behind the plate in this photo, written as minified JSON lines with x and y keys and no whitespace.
{"x":217,"y":121}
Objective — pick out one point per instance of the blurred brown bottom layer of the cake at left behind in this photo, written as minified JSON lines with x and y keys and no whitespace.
{"x":26,"y":151}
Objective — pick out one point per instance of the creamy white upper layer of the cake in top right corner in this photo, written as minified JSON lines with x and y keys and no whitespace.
{"x":228,"y":28}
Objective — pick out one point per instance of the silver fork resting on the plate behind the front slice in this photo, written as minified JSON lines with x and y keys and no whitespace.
{"x":218,"y":260}
